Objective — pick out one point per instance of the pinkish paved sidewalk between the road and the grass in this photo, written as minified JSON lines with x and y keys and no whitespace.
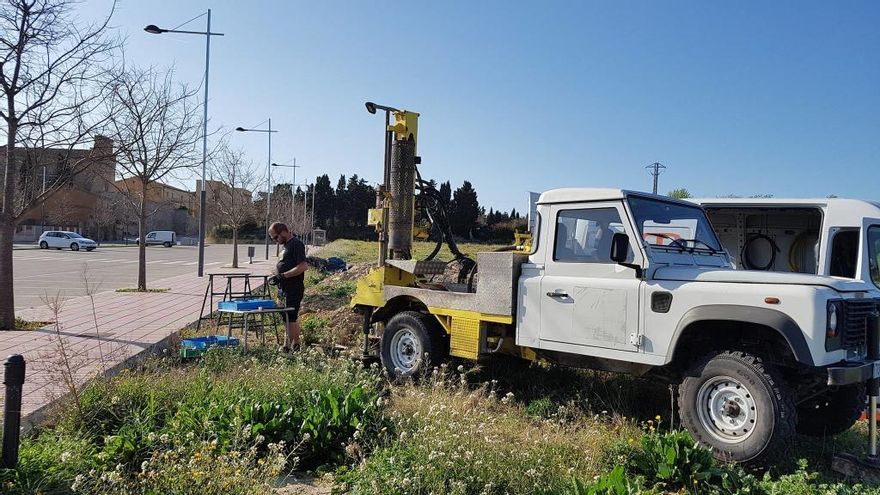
{"x":129,"y":324}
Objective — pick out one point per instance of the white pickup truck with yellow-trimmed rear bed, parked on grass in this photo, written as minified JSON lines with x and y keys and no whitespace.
{"x":633,"y":282}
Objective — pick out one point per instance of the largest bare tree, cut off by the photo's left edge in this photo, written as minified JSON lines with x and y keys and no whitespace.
{"x":50,"y":73}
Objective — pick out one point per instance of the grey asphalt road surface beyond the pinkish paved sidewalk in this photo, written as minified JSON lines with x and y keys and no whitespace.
{"x":40,"y":272}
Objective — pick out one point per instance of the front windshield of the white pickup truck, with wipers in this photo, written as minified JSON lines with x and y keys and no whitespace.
{"x":673,"y":225}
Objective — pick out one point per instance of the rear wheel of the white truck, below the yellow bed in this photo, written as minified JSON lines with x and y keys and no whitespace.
{"x":411,"y":343}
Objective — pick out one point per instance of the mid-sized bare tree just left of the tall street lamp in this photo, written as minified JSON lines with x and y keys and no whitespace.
{"x":156,"y":126}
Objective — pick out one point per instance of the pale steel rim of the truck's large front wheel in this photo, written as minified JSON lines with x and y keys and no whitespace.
{"x":727,"y":409}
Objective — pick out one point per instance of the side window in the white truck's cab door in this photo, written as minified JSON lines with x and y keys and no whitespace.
{"x":584,"y":236}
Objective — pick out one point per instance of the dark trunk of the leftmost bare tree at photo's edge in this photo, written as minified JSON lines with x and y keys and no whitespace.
{"x":7,"y":227}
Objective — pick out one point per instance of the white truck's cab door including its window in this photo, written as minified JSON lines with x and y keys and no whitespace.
{"x":587,"y":299}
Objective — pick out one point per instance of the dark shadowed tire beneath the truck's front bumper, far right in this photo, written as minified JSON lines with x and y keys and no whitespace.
{"x":832,"y":412}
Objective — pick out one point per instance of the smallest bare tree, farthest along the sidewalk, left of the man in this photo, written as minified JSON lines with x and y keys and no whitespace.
{"x":231,"y":193}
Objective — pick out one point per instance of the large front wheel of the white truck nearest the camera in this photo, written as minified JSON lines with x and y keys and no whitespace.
{"x":738,"y":406}
